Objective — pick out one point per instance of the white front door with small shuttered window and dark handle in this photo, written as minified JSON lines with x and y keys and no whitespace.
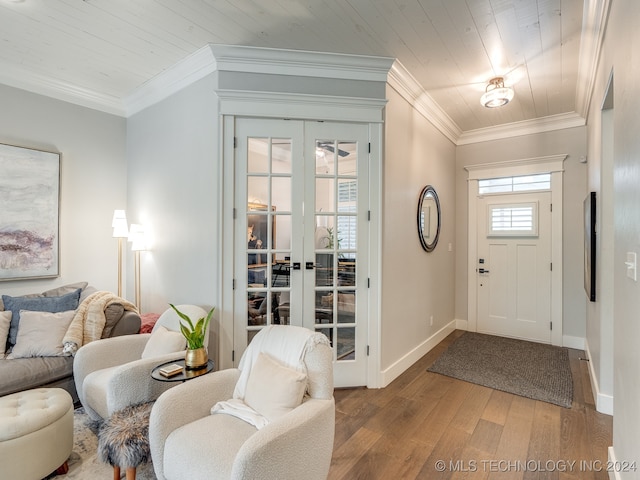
{"x":513,"y":268}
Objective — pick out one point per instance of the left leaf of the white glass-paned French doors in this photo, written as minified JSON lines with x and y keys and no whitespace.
{"x":268,"y":218}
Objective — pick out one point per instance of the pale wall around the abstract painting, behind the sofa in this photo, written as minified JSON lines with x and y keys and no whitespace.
{"x":93,"y":182}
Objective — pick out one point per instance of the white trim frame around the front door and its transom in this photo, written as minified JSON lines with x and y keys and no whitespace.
{"x":550,"y":164}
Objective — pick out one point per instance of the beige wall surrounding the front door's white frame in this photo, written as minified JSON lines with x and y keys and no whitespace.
{"x":570,"y":141}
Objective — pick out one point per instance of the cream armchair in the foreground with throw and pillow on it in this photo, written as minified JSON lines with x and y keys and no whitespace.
{"x":188,"y":441}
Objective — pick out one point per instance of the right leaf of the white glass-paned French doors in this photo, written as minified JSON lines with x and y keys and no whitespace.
{"x":336,"y":293}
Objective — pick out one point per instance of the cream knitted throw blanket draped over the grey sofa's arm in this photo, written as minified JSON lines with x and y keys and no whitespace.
{"x":89,"y":321}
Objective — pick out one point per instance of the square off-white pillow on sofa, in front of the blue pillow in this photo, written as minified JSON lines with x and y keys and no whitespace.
{"x":40,"y":334}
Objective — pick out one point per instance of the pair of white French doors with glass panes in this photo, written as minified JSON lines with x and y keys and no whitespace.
{"x":301,"y":230}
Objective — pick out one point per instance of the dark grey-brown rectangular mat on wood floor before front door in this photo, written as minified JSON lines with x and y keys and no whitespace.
{"x":532,"y":370}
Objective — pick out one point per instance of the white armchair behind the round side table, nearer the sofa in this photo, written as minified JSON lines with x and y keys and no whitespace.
{"x":113,"y":373}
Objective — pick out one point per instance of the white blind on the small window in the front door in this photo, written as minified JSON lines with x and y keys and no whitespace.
{"x":519,"y":219}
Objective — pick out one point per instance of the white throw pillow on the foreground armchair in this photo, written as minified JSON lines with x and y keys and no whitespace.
{"x":274,"y":389}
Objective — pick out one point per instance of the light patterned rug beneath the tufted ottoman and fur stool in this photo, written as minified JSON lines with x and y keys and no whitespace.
{"x":84,"y":462}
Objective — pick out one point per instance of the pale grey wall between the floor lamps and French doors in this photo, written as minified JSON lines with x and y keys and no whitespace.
{"x":174,"y":175}
